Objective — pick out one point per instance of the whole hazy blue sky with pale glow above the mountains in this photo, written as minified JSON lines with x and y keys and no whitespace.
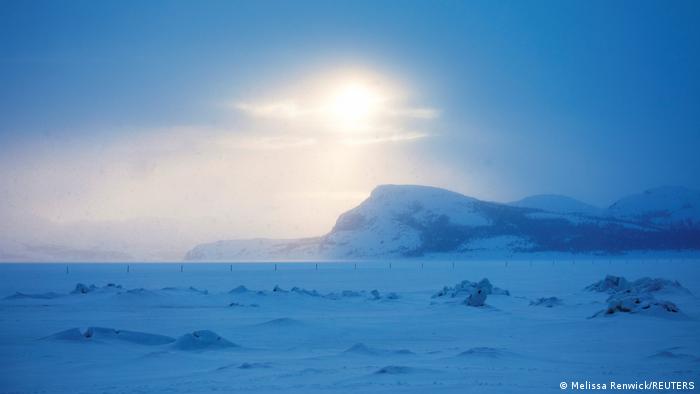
{"x":149,"y":127}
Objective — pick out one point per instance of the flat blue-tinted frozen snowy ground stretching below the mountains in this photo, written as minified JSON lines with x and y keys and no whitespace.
{"x":205,"y":338}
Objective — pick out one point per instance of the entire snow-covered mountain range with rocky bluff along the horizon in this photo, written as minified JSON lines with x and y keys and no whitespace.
{"x":409,"y":220}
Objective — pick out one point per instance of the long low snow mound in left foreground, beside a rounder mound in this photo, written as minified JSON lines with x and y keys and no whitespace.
{"x":111,"y":334}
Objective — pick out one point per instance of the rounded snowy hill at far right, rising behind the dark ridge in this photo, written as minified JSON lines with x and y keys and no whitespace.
{"x":664,"y":206}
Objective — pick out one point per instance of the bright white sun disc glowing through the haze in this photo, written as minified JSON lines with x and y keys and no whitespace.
{"x":353,"y":104}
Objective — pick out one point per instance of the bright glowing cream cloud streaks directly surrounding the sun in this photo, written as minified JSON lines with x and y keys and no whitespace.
{"x":345,"y":110}
